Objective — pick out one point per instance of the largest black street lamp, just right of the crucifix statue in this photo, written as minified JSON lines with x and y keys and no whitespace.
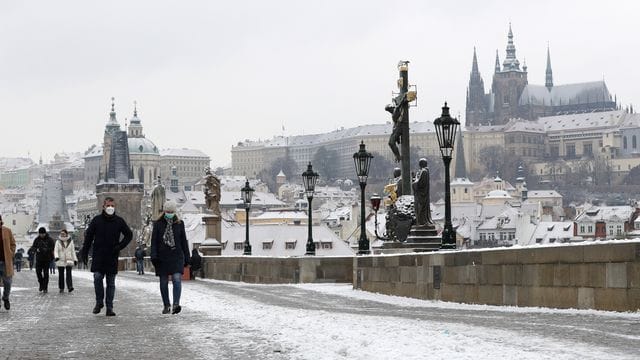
{"x":446,"y":129}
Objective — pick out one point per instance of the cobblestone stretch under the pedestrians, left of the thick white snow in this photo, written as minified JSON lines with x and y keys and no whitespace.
{"x":61,"y":326}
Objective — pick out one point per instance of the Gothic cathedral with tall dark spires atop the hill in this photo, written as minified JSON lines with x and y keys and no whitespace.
{"x":511,"y":95}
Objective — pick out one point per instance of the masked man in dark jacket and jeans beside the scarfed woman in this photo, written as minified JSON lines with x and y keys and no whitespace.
{"x":103,"y":236}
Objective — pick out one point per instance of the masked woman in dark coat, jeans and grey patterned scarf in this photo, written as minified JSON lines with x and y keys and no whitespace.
{"x":169,"y":255}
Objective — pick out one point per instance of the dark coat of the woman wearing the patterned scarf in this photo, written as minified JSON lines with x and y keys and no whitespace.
{"x":165,"y":259}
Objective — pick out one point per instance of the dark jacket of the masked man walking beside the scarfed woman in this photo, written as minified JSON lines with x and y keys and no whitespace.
{"x":103,"y":236}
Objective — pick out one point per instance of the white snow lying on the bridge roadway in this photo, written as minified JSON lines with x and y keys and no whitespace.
{"x":314,"y":334}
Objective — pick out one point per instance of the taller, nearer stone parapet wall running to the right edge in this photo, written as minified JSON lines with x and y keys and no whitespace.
{"x":603,"y":276}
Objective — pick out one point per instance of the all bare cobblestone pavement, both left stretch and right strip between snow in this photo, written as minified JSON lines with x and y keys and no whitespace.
{"x":62,"y":326}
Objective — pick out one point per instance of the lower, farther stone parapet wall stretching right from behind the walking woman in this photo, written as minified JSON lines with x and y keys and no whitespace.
{"x":266,"y":270}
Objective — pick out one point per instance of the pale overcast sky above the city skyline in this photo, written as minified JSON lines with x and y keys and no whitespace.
{"x":207,"y":74}
